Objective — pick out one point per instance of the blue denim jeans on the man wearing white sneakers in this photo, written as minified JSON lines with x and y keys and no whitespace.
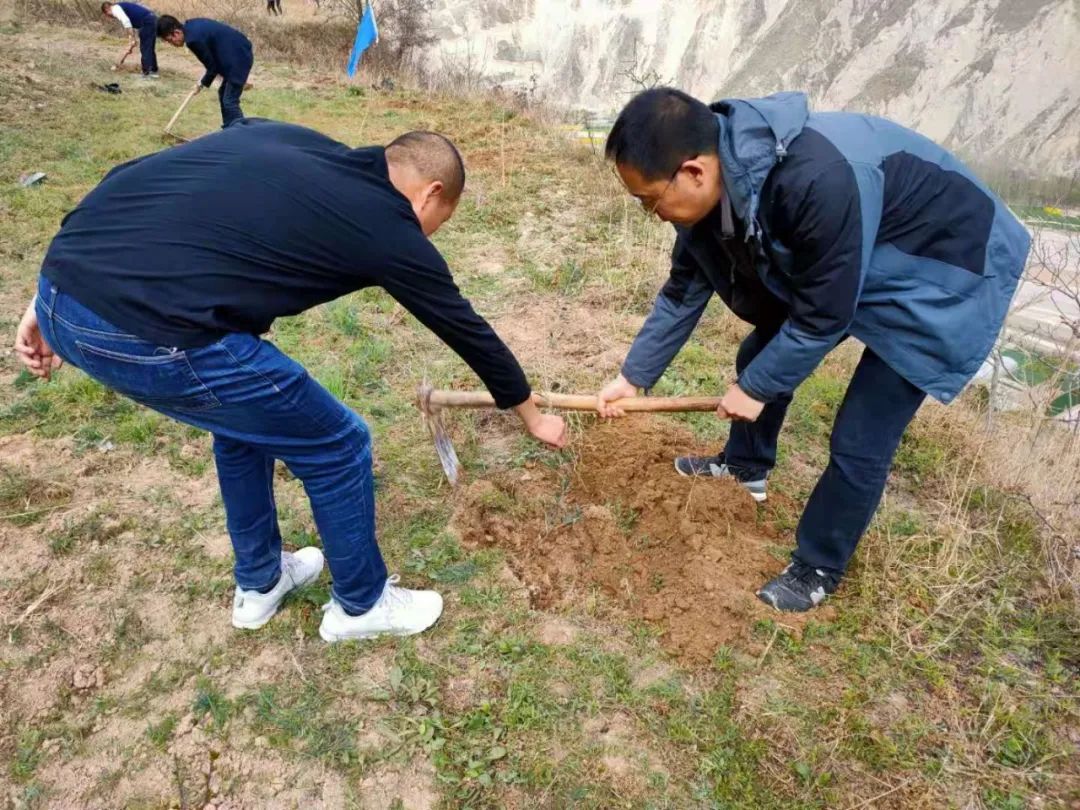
{"x":261,"y":406}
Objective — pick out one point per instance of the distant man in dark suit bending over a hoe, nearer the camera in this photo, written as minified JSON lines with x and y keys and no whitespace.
{"x":223,"y":50}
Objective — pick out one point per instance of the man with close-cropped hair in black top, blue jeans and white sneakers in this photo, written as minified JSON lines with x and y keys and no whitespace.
{"x":163,"y":280}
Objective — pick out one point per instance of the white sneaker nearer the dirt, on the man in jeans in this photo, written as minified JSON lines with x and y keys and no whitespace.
{"x":398,"y":613}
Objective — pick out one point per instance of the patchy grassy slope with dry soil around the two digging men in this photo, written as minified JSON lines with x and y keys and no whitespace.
{"x":948,"y":677}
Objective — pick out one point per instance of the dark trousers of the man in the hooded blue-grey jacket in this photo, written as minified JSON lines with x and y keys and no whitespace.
{"x":877,"y":409}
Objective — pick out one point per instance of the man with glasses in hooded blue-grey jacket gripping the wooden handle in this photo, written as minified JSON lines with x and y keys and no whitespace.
{"x":815,"y":227}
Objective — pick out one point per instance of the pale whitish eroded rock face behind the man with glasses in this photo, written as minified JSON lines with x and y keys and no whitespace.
{"x":998,"y":80}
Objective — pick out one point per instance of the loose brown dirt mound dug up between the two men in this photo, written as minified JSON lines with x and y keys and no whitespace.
{"x":685,"y":555}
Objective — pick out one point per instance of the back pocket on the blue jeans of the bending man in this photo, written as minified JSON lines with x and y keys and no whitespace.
{"x":163,"y":381}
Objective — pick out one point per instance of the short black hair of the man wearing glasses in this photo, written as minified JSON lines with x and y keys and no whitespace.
{"x":660,"y":129}
